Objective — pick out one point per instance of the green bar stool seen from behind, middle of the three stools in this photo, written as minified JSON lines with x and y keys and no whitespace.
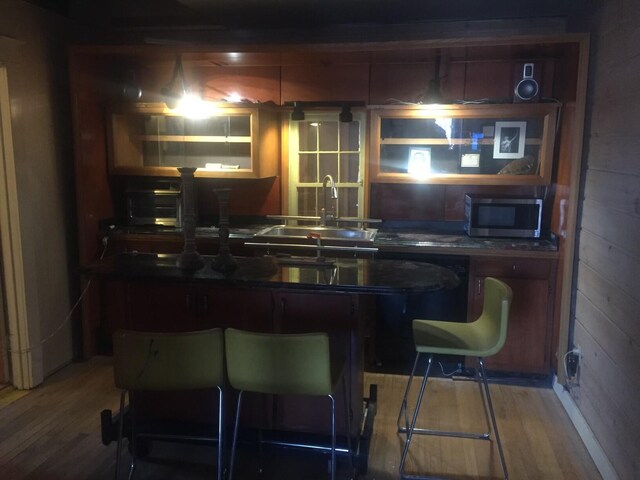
{"x":284,"y":364}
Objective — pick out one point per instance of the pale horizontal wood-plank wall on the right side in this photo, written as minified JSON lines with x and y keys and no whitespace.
{"x":607,"y":318}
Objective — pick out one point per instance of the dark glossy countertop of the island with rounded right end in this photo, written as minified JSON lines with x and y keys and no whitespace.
{"x":345,"y":275}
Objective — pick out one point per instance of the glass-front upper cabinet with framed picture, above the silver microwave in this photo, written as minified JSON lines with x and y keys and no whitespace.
{"x":506,"y":144}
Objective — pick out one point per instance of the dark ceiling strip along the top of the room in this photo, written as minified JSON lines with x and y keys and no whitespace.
{"x":299,"y":14}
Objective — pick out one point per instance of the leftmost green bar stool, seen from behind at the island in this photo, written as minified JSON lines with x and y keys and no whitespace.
{"x":145,"y":361}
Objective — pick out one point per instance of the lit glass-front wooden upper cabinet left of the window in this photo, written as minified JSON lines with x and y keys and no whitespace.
{"x":150,"y":139}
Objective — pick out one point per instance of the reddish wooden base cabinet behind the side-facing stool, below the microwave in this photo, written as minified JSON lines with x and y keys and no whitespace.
{"x":527,"y":348}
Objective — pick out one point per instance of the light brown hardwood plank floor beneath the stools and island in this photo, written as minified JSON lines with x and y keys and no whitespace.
{"x":53,"y":433}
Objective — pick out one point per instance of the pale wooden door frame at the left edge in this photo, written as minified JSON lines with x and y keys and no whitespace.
{"x":19,"y":353}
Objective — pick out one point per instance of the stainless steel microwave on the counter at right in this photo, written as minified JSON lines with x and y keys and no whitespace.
{"x":502,"y":216}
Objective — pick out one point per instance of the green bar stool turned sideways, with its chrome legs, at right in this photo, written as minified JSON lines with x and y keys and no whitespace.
{"x":481,"y":338}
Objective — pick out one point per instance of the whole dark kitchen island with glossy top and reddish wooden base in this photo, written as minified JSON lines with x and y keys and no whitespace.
{"x":148,"y":292}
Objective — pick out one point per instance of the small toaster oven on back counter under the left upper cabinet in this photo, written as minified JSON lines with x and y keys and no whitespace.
{"x":154,"y":205}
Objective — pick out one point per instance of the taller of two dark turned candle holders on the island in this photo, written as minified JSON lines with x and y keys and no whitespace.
{"x":189,"y":259}
